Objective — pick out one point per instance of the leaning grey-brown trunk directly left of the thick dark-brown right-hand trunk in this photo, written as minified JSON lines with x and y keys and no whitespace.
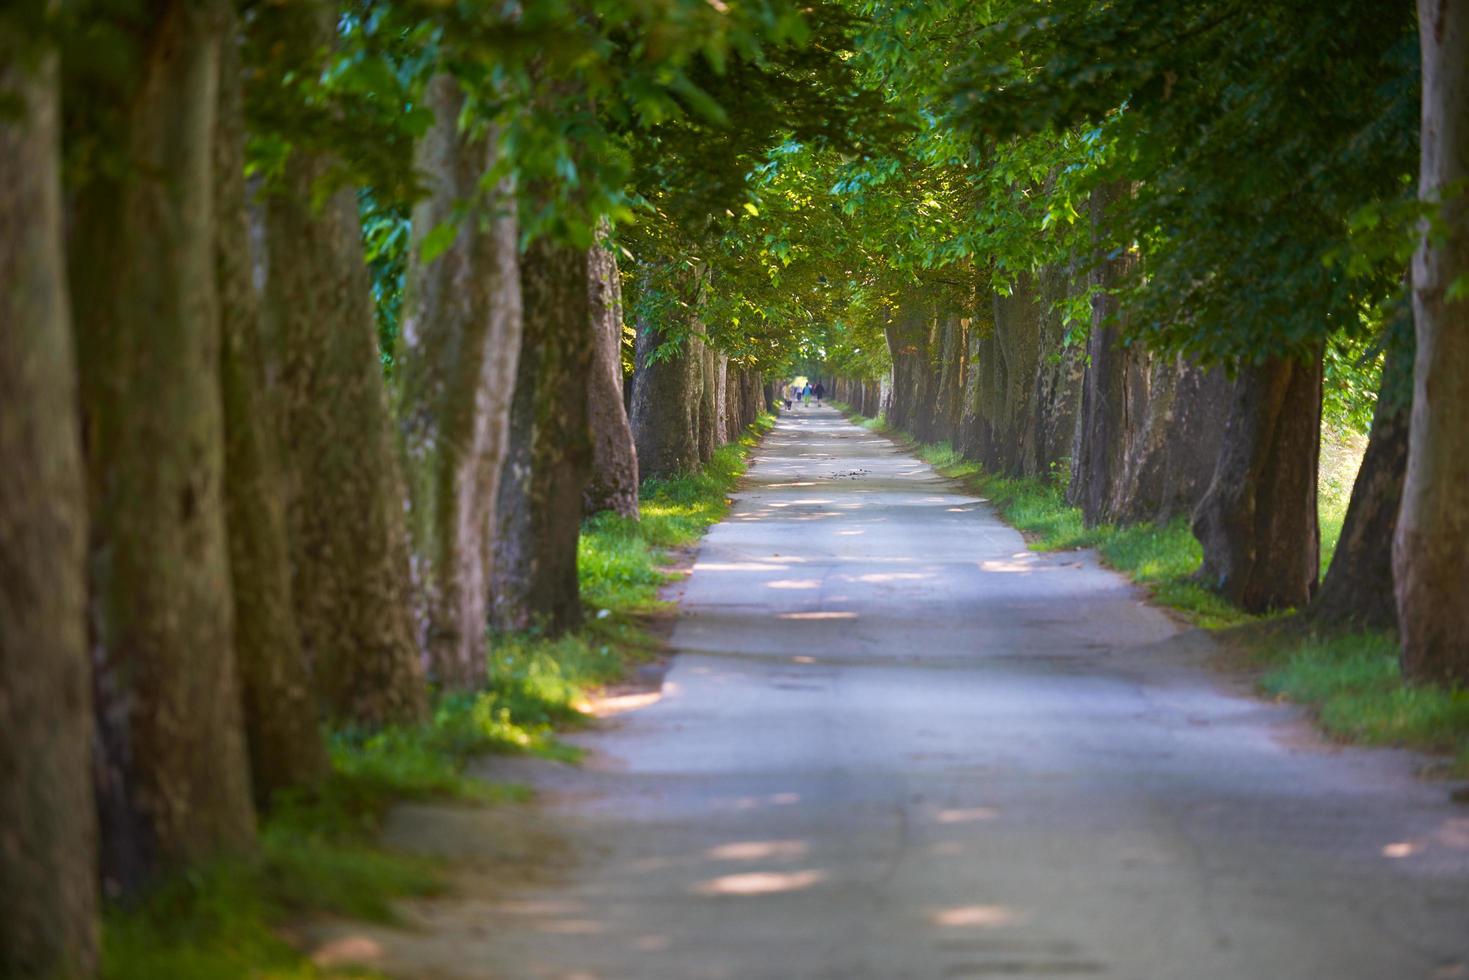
{"x":1172,"y":456}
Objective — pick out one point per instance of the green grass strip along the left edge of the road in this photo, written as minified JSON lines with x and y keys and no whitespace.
{"x":320,"y":850}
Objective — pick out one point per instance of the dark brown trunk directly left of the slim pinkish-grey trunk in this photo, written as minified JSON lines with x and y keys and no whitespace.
{"x":550,"y":458}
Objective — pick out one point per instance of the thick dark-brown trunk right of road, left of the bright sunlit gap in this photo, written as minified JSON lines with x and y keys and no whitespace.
{"x":1258,"y":519}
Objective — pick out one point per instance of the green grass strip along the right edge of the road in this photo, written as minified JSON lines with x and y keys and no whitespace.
{"x":1351,"y":682}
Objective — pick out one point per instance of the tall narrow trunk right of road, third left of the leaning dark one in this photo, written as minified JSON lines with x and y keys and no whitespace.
{"x":1111,"y":390}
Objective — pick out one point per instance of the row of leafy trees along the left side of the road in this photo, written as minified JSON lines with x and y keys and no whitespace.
{"x":312,"y":364}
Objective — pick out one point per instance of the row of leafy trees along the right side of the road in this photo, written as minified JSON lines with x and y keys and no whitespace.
{"x":1185,"y":236}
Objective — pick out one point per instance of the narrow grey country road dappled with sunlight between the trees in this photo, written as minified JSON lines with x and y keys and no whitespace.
{"x":897,"y":744}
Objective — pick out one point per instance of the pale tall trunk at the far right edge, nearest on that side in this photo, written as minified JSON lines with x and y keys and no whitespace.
{"x":1429,"y":556}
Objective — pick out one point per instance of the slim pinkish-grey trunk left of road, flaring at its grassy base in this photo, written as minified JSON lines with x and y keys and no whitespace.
{"x":615,"y":459}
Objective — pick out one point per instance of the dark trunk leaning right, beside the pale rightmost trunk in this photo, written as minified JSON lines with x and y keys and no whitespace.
{"x":1358,"y":590}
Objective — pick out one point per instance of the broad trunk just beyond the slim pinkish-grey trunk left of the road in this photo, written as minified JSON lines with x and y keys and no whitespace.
{"x":665,"y":406}
